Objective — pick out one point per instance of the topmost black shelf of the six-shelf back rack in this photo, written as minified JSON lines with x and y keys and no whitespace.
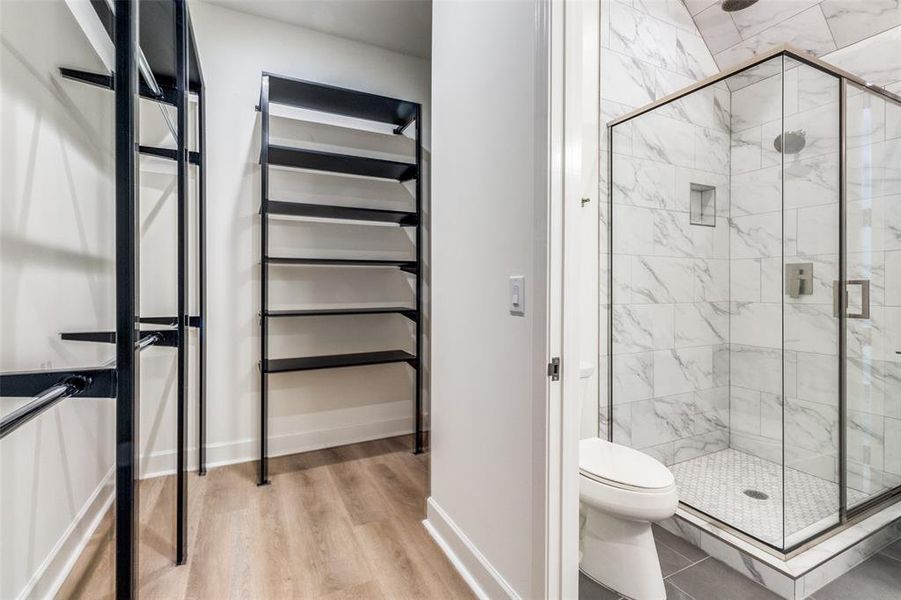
{"x":340,"y":101}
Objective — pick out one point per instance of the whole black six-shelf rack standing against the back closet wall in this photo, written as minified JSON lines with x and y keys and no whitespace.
{"x":401,"y":114}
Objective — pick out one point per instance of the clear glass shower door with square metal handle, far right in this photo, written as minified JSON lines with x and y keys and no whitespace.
{"x":872,"y":295}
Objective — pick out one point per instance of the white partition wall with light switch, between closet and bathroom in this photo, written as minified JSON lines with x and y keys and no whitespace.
{"x":490,"y":218}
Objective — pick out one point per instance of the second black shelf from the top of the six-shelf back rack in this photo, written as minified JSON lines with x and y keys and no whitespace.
{"x":330,"y":162}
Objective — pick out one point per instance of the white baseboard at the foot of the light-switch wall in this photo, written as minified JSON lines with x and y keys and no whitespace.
{"x":475,"y":569}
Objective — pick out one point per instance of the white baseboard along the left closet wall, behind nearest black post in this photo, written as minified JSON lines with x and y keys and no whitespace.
{"x":52,"y":573}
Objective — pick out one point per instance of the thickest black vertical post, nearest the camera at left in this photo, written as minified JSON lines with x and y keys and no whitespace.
{"x":127,"y":255}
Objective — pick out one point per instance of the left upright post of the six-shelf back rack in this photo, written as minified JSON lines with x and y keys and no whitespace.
{"x":264,"y":281}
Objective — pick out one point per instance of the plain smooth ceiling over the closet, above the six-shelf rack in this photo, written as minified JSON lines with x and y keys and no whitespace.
{"x":403,"y":26}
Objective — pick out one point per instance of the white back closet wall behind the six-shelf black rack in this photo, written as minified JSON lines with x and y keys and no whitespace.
{"x":307,"y":410}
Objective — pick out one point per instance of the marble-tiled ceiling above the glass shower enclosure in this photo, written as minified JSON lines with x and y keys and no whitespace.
{"x":816,"y":26}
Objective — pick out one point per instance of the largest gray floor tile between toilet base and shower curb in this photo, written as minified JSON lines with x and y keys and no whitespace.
{"x":712,"y":580}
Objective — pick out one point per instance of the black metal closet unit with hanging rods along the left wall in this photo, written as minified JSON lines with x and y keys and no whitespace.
{"x":157,"y":63}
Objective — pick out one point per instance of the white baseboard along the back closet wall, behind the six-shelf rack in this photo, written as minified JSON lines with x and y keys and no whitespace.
{"x":239,"y":451}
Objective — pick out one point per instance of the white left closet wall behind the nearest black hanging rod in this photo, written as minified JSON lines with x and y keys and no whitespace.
{"x":56,"y":274}
